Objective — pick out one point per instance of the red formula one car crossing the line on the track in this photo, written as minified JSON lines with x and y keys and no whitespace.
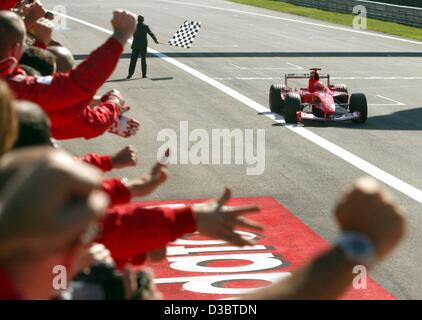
{"x":318,"y":102}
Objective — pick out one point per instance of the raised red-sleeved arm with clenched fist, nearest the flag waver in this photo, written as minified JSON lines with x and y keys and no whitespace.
{"x":65,"y":90}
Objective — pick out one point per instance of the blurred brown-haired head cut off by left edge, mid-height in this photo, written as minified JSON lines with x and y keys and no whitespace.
{"x":8,"y":119}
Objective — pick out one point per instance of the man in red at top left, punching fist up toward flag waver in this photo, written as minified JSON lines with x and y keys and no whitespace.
{"x":69,"y":93}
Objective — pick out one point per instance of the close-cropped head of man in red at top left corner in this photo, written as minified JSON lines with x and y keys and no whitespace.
{"x":13,"y":33}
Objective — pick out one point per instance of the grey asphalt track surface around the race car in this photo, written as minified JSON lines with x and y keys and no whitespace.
{"x":247,"y":49}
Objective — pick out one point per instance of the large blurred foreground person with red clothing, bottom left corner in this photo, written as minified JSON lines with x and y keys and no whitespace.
{"x":49,"y":216}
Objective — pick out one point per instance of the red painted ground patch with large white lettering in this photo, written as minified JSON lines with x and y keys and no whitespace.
{"x":202,"y":268}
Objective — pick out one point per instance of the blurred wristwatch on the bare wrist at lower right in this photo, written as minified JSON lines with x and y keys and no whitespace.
{"x":358,"y":248}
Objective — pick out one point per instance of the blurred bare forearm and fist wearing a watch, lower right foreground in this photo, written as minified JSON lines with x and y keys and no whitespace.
{"x":372,"y":226}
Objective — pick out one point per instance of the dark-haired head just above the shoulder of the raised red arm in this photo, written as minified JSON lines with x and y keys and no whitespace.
{"x":40,"y":59}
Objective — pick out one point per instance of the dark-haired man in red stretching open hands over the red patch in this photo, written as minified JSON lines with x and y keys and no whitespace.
{"x":130,"y":230}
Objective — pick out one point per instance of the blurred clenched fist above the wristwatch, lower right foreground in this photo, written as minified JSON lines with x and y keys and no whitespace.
{"x":368,"y":209}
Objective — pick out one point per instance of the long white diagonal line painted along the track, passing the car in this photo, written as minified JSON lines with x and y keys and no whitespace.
{"x":347,"y":156}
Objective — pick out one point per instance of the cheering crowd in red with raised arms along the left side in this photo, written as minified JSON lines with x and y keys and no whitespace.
{"x":59,"y":210}
